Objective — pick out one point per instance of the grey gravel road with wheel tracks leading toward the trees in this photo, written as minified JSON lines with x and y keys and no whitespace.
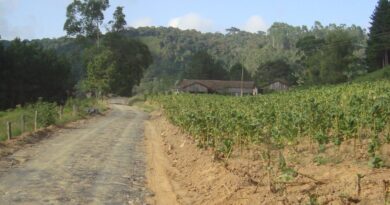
{"x":100,"y":162}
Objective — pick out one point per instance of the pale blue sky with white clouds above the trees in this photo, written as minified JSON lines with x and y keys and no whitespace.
{"x":34,"y":19}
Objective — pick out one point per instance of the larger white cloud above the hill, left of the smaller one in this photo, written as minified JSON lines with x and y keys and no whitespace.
{"x":192,"y":21}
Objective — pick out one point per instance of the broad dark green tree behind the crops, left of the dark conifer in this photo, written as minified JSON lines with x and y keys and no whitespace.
{"x":329,"y":60}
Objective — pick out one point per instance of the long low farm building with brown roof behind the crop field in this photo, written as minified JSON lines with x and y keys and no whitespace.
{"x":216,"y":86}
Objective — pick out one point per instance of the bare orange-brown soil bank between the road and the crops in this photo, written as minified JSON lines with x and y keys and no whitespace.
{"x":178,"y":172}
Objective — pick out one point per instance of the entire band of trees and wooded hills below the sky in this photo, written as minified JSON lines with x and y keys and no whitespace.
{"x":127,"y":60}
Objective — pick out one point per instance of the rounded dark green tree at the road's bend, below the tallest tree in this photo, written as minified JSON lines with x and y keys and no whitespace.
{"x":117,"y":66}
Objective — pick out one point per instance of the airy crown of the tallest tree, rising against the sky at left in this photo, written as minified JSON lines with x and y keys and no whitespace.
{"x":84,"y":17}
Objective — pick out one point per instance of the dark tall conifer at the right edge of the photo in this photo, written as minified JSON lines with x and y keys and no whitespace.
{"x":379,"y":37}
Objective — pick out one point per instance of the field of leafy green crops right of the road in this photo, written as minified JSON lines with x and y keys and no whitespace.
{"x":324,"y":116}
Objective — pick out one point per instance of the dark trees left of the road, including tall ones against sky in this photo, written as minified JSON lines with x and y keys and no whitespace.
{"x":85,"y":61}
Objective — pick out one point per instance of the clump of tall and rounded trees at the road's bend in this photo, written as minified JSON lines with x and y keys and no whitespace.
{"x":113,"y":63}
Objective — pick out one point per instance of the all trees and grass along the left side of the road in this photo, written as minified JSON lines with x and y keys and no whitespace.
{"x":42,"y":86}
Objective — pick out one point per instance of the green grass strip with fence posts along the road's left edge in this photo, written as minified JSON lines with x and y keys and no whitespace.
{"x":14,"y":115}
